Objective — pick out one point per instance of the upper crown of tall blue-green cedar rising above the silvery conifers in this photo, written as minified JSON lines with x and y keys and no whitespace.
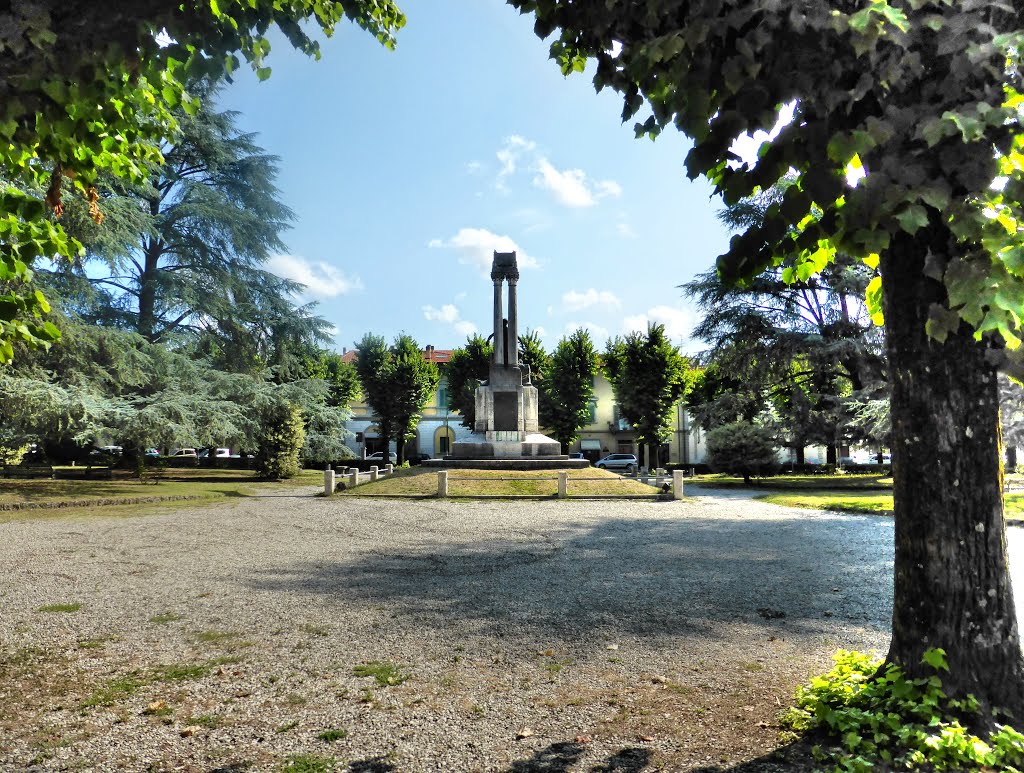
{"x":184,"y":252}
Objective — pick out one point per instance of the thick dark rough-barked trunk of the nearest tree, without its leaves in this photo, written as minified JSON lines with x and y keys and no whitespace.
{"x":952,"y":578}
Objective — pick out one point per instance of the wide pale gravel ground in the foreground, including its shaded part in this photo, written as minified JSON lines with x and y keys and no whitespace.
{"x":552,"y":636}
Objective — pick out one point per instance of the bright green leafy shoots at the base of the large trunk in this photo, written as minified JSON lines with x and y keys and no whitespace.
{"x":880,"y":719}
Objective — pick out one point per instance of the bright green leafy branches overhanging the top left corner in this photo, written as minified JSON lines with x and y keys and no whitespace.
{"x":92,"y":89}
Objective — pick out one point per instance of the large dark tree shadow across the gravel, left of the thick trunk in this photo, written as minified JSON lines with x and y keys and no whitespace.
{"x":643,"y":577}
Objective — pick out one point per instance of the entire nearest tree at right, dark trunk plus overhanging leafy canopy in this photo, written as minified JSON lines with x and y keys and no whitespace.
{"x":924,"y":99}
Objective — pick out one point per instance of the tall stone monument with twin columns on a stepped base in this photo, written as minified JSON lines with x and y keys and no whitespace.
{"x":506,"y":427}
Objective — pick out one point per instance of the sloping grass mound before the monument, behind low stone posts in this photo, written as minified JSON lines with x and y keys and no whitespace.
{"x":418,"y":482}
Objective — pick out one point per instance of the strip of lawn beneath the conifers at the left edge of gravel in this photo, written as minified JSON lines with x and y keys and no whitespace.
{"x":47,"y":498}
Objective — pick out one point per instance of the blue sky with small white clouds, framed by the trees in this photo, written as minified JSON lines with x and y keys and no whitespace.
{"x":407,"y":168}
